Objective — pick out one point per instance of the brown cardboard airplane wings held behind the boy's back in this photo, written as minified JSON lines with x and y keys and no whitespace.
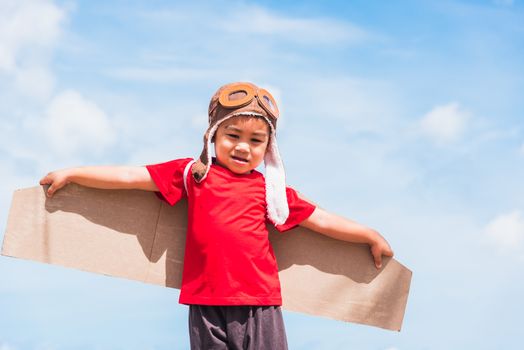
{"x":132,"y":234}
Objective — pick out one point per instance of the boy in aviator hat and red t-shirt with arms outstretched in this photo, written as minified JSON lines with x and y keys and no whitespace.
{"x":230,"y":277}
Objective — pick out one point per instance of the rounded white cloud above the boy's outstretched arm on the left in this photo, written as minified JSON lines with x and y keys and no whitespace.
{"x":74,"y":124}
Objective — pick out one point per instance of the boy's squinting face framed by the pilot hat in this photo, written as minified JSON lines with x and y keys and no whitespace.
{"x":241,"y":142}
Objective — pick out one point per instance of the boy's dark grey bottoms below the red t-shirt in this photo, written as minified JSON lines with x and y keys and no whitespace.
{"x":236,"y":327}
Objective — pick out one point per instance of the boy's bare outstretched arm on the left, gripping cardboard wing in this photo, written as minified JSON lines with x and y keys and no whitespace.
{"x":105,"y":177}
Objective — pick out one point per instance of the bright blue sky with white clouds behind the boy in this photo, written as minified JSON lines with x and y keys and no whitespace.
{"x":406,"y":116}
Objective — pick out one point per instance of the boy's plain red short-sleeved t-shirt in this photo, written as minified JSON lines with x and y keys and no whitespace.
{"x":228,"y":257}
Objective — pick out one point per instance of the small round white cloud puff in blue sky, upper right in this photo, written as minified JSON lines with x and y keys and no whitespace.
{"x":445,"y":124}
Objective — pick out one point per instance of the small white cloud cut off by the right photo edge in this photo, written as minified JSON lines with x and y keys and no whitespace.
{"x":506,"y":231}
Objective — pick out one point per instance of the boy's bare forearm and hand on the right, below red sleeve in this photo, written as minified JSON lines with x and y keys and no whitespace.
{"x":341,"y":228}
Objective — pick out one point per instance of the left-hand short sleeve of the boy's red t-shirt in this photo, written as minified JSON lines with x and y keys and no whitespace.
{"x":169,"y":178}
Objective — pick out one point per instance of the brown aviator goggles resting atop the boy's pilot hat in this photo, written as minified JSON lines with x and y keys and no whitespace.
{"x":264,"y":98}
